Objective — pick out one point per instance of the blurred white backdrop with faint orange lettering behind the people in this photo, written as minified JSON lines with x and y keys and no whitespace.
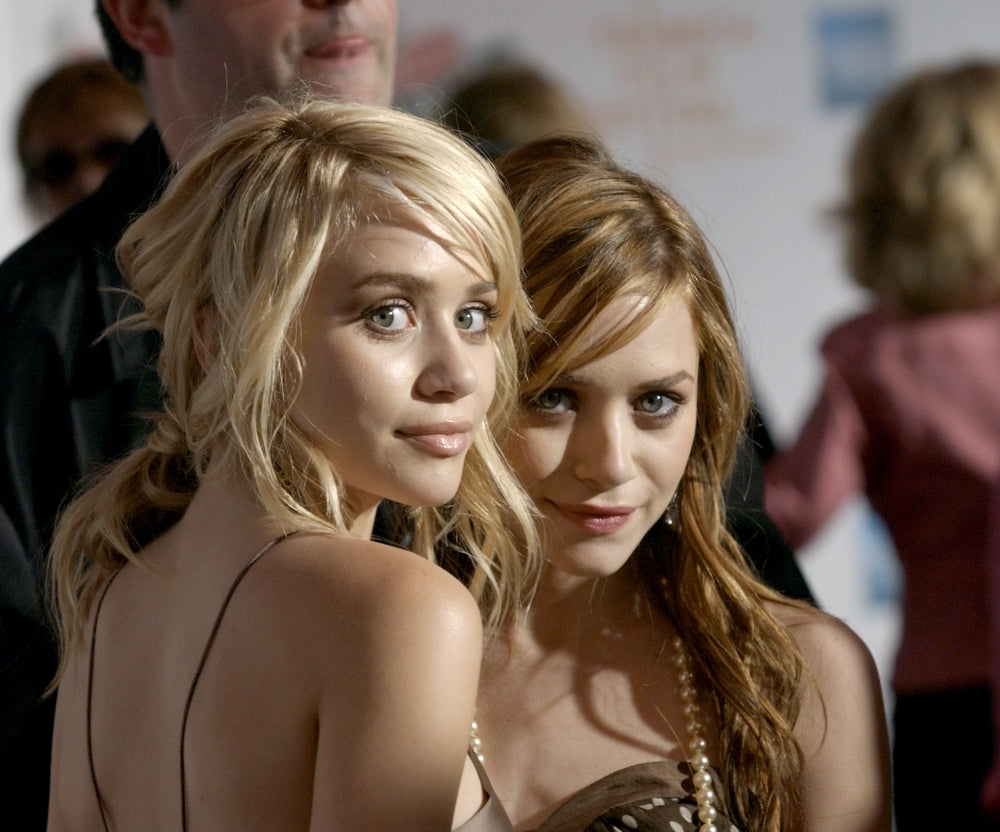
{"x":743,"y":109}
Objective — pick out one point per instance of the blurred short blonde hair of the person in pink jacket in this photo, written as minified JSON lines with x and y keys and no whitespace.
{"x":923,"y":210}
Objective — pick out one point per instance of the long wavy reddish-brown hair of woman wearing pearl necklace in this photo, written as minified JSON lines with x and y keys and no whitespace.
{"x":594,"y":232}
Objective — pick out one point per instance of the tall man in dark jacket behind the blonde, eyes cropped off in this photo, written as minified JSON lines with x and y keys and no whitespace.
{"x":71,"y":400}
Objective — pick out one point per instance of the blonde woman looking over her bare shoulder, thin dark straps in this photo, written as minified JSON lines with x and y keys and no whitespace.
{"x":336,"y":286}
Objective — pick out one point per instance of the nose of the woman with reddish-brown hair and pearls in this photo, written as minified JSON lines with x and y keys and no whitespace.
{"x":602,"y":449}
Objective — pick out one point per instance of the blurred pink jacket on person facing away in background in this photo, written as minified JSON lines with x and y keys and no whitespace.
{"x":909,"y":414}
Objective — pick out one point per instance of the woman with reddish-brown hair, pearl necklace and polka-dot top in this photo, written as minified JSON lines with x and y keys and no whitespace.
{"x":654,"y":683}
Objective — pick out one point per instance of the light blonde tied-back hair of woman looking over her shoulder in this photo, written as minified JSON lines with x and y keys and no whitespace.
{"x":238,"y":237}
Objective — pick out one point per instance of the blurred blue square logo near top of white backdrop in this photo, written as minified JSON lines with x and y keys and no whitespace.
{"x":855,"y":51}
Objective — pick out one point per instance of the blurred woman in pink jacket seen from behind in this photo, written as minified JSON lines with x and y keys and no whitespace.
{"x":909,"y":415}
